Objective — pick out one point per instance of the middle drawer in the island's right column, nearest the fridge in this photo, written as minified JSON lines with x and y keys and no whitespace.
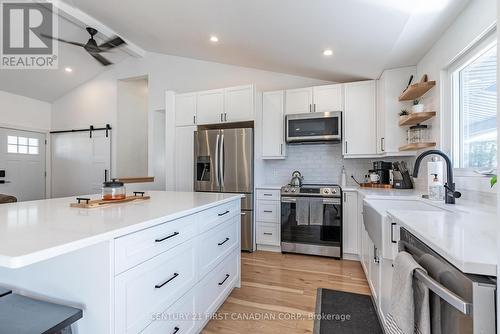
{"x":217,"y":244}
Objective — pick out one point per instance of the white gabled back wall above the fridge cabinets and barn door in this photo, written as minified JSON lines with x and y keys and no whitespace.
{"x":95,"y":102}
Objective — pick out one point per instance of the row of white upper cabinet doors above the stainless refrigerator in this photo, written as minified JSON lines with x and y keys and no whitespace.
{"x":215,"y":106}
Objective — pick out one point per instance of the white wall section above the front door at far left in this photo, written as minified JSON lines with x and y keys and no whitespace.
{"x":24,"y":113}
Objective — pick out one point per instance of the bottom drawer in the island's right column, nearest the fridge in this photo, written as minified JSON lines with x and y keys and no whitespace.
{"x":213,"y":289}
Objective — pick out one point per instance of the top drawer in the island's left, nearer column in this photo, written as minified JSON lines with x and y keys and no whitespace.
{"x":135,"y":248}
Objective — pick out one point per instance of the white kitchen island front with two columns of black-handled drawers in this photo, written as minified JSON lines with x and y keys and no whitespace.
{"x":179,"y":282}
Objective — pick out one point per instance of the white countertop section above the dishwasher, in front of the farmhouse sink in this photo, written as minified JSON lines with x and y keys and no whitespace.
{"x":465,"y":239}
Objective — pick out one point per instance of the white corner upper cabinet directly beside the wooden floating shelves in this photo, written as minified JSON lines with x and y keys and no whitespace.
{"x":390,"y":136}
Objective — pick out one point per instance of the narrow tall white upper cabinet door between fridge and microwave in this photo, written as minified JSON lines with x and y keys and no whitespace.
{"x":273,"y":138}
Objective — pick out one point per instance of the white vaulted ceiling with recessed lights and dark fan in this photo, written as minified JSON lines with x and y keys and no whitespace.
{"x":287,"y":36}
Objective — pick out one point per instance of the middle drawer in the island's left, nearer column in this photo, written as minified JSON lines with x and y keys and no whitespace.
{"x":153,"y":285}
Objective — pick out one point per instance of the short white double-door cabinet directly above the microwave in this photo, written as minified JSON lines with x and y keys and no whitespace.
{"x":314,"y":99}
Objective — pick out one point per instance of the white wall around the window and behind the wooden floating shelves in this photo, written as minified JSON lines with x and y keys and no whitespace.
{"x":474,"y":21}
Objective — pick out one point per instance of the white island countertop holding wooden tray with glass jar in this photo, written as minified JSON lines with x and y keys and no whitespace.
{"x":34,"y":231}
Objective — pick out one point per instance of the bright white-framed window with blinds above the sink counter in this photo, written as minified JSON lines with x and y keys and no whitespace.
{"x":474,"y":108}
